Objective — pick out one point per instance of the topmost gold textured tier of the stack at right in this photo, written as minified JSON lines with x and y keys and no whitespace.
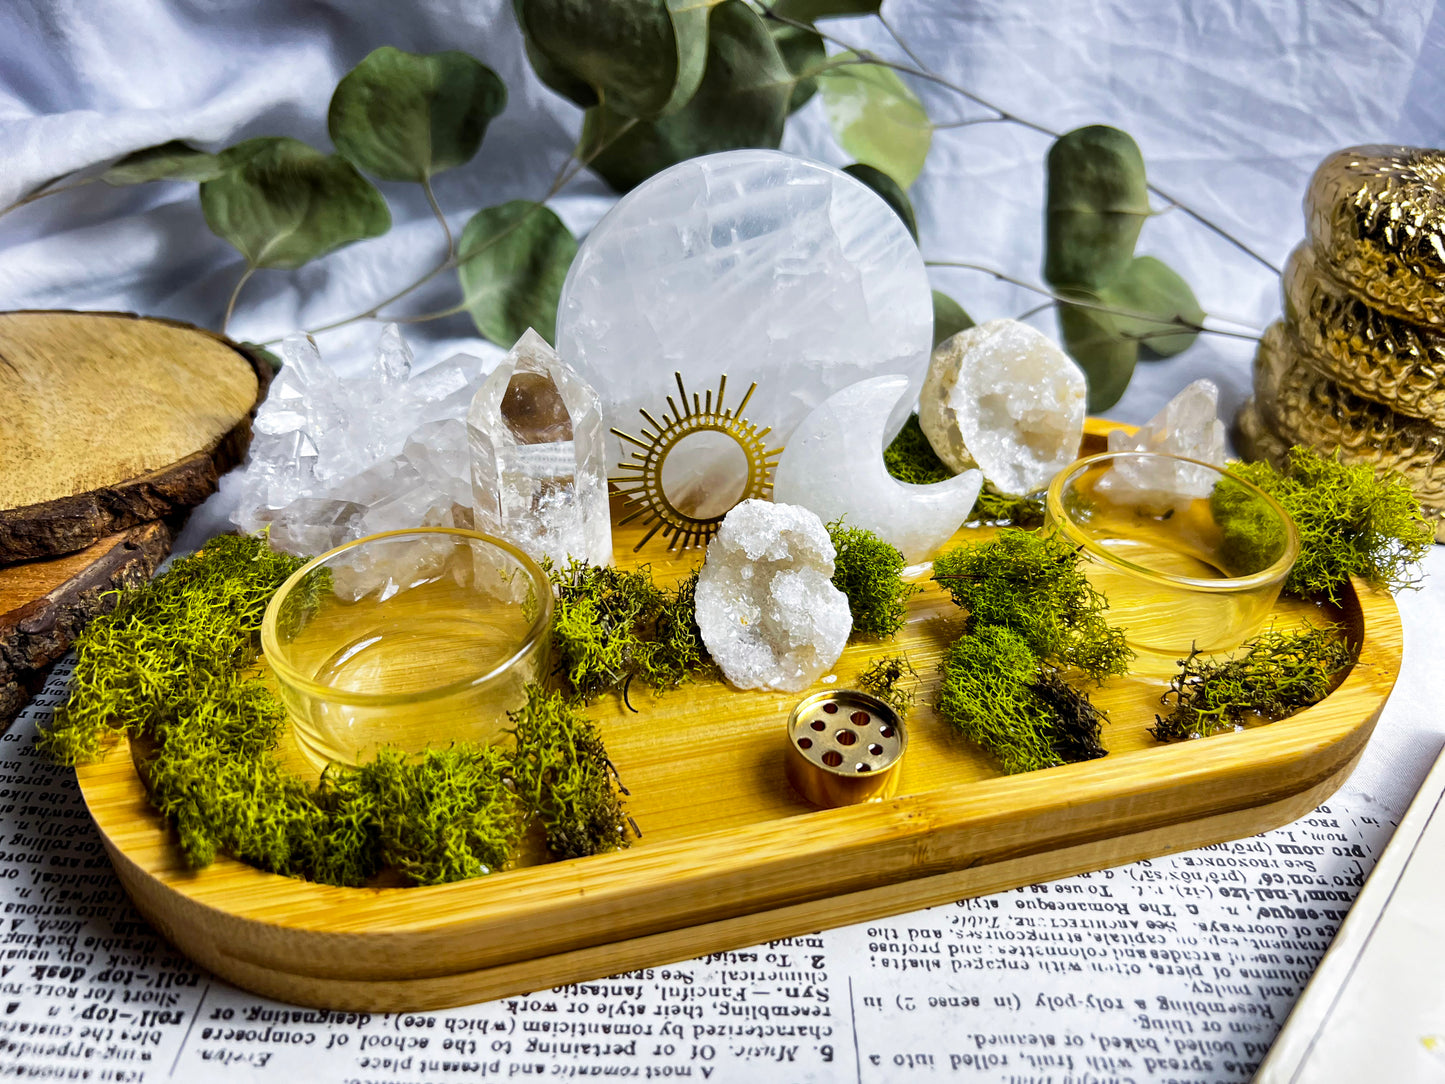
{"x":1376,"y":216}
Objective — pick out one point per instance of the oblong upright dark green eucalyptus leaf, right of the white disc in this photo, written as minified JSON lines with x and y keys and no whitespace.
{"x":1097,"y":203}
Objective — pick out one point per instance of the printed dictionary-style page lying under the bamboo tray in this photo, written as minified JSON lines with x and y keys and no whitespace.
{"x":1178,"y":969}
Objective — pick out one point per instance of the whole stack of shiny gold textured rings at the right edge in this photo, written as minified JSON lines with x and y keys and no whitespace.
{"x":1358,"y":368}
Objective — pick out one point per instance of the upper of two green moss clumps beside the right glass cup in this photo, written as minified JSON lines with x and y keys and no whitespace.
{"x":1032,"y":586}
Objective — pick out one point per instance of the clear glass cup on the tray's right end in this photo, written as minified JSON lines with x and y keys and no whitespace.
{"x":1189,"y":556}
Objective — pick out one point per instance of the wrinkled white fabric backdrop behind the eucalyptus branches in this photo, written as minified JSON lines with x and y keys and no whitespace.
{"x":1233,"y":103}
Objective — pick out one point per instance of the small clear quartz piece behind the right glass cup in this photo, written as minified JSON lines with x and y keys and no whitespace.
{"x":1189,"y":426}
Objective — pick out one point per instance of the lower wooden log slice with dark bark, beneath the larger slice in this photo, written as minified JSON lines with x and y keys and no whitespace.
{"x":44,"y":605}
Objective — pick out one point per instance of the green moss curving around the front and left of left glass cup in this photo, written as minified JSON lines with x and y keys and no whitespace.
{"x":170,"y":666}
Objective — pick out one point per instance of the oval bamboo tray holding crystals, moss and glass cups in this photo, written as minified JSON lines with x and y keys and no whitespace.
{"x":730,"y":856}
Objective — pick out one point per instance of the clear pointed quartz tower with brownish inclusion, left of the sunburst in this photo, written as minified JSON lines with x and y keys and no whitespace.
{"x":538,"y":460}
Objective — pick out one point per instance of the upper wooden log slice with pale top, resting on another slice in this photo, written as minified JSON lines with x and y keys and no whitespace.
{"x":111,"y":421}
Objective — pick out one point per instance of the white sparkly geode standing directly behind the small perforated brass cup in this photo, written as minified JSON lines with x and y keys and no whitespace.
{"x":767,"y":606}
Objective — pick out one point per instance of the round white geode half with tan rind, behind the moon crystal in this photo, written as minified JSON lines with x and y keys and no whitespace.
{"x":1006,"y":400}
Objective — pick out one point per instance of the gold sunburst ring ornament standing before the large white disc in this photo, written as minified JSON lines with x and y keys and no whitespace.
{"x":658,"y":440}
